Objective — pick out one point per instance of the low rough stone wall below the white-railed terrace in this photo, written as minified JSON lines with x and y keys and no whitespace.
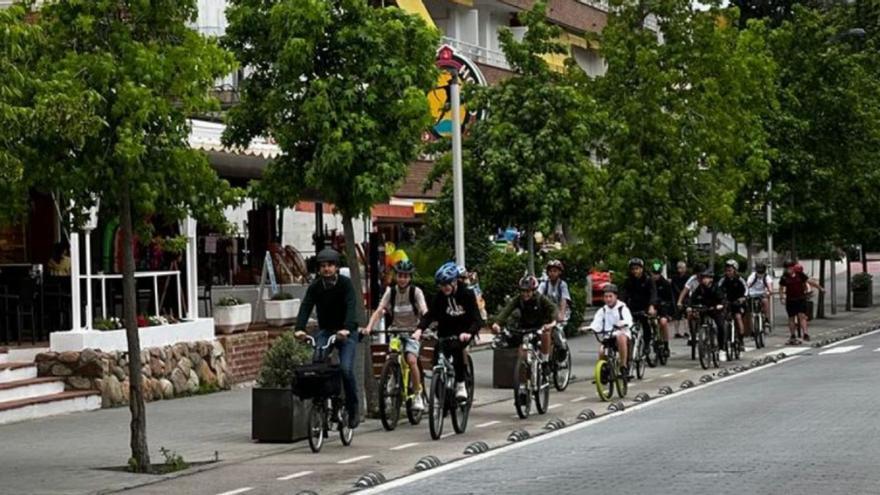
{"x":172,"y":371}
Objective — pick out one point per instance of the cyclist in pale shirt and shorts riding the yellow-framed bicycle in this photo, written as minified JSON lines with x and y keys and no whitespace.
{"x":403,"y":305}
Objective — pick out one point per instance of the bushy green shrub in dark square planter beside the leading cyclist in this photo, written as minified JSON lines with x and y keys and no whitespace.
{"x":276,"y":414}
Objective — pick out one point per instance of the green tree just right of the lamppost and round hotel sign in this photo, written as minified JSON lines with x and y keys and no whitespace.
{"x":528,"y":162}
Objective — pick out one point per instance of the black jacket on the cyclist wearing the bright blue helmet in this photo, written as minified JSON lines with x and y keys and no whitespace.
{"x":454,"y":314}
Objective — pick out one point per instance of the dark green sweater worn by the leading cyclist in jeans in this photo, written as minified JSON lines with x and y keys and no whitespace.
{"x":335,"y":306}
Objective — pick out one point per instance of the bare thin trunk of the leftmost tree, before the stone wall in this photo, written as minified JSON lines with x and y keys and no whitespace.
{"x":140,"y":453}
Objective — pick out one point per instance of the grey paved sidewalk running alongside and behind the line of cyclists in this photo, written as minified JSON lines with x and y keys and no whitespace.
{"x":60,"y":455}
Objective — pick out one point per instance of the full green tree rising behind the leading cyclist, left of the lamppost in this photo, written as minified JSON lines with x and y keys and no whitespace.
{"x":341,"y":87}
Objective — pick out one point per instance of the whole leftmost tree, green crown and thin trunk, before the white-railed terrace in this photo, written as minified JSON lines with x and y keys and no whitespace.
{"x":111,"y":84}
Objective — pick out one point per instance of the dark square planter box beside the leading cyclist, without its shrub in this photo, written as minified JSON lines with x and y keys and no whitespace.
{"x":278,"y":416}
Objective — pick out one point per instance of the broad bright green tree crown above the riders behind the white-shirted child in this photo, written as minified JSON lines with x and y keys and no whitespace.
{"x":683,"y":137}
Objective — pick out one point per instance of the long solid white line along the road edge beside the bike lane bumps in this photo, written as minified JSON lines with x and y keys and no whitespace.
{"x":547,"y":436}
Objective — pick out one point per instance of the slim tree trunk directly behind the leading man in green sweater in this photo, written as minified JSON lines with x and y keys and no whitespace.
{"x":367,"y":387}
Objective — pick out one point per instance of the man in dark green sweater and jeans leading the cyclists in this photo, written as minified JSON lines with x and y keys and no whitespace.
{"x":334,"y":298}
